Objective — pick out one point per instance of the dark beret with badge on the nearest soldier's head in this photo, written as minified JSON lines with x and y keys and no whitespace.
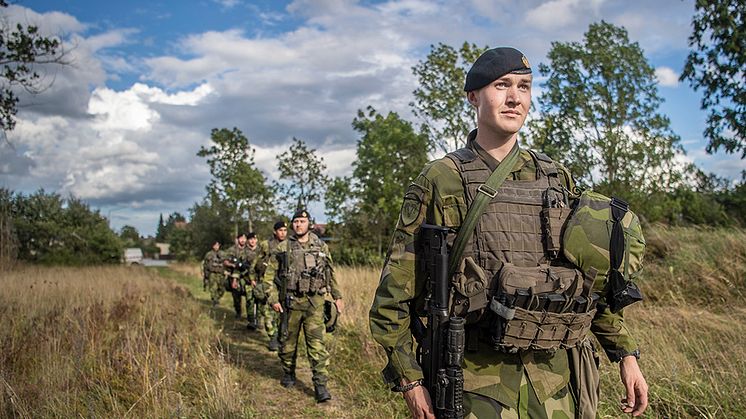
{"x":493,"y":64}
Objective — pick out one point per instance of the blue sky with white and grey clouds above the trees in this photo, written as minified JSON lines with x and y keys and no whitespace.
{"x":120,"y":127}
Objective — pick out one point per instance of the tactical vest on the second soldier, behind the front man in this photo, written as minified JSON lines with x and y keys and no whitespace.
{"x":308,"y":265}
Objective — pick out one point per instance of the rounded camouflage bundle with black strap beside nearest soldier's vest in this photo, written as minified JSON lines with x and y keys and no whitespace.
{"x":604,"y":239}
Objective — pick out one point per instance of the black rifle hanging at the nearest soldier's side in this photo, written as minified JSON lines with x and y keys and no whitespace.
{"x":441,"y":349}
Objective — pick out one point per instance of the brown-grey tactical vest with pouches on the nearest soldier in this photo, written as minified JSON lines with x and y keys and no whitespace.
{"x":511,"y":281}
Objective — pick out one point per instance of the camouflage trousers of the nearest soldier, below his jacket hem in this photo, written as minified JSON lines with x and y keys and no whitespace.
{"x":559,"y":406}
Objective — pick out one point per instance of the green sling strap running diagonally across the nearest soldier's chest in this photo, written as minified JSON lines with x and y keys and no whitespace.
{"x":485,"y":193}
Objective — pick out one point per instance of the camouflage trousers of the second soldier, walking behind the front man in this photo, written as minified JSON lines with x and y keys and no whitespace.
{"x":306,"y":312}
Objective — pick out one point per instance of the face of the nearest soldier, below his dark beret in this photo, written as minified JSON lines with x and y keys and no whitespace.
{"x":502,"y":106}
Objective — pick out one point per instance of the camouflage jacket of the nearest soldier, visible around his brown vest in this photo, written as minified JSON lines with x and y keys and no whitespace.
{"x":437,"y":195}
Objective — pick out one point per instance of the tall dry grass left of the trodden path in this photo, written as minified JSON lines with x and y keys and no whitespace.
{"x":109,"y":342}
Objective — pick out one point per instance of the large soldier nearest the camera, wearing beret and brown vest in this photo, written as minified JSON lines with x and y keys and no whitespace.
{"x":505,"y":372}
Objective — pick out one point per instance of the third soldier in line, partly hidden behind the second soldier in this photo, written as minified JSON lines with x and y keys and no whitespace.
{"x":268,"y":251}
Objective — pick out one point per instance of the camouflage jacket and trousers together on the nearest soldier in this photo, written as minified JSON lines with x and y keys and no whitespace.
{"x":524,"y":384}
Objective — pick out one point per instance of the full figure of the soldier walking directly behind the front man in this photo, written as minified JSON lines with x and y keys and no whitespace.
{"x":308,"y":276}
